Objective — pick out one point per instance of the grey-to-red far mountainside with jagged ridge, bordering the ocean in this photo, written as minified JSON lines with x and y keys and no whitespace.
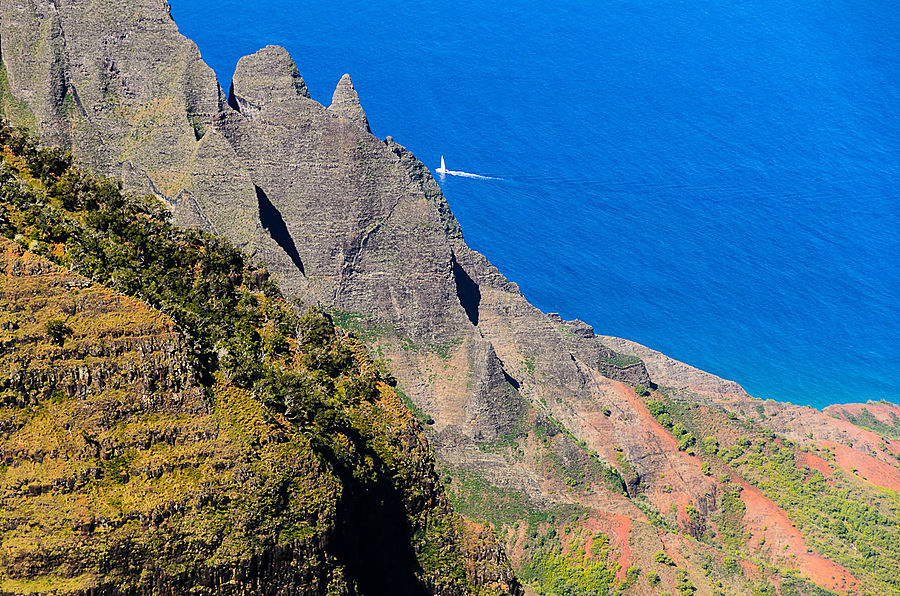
{"x":602,"y":464}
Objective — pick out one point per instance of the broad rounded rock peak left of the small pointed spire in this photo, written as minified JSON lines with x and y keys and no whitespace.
{"x":267,"y":77}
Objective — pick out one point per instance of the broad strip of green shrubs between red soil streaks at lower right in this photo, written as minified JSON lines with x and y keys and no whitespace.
{"x":845,"y":520}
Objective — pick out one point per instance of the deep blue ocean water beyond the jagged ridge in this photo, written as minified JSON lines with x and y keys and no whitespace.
{"x":719,"y":181}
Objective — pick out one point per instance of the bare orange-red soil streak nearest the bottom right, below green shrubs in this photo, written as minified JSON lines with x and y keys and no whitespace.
{"x":766,"y":520}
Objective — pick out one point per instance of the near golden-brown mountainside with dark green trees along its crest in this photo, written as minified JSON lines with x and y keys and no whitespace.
{"x":214,"y":442}
